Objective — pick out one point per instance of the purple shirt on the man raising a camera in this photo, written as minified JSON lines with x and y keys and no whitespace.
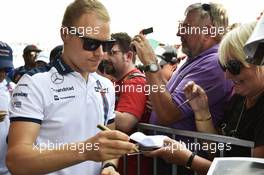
{"x":205,"y":71}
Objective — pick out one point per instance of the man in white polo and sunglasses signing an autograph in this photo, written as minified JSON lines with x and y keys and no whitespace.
{"x":54,"y":113}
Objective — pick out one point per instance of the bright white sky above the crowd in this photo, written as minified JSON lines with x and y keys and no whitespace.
{"x":38,"y":21}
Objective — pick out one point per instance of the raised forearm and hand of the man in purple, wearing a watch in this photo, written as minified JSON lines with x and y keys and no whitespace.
{"x":169,"y":113}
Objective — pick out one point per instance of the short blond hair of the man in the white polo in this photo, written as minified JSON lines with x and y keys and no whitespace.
{"x":79,"y":7}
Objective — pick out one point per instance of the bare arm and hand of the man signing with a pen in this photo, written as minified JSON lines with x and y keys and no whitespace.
{"x":33,"y":160}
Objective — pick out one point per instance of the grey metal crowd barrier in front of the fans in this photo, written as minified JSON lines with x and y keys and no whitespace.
{"x":190,"y":134}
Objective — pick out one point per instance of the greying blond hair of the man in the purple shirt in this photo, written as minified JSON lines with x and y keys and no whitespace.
{"x":215,"y":12}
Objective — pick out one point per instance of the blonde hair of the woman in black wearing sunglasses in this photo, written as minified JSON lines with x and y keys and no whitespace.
{"x":232,"y":44}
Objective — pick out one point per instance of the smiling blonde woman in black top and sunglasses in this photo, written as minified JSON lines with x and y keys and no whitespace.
{"x":244,"y":117}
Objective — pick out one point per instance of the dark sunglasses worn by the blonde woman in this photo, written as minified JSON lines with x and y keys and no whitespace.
{"x":233,"y":66}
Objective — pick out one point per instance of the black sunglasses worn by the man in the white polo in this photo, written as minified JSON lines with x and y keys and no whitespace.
{"x":91,"y":44}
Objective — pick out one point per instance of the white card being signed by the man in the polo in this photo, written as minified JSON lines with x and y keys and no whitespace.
{"x":154,"y":141}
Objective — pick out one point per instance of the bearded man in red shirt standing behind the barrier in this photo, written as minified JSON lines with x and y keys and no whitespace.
{"x":131,"y":94}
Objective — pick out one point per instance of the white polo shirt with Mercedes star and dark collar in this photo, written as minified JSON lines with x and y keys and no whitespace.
{"x":66,"y":106}
